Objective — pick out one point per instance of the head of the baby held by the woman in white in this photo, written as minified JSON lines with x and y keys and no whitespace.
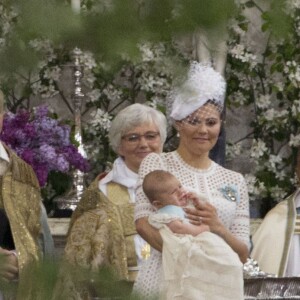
{"x":162,"y":188}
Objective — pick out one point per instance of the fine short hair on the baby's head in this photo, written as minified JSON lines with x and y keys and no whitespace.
{"x":153,"y":183}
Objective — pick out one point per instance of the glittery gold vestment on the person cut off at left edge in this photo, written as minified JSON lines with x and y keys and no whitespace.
{"x":20,"y":198}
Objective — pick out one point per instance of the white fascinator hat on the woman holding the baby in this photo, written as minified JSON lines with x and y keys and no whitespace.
{"x":203,"y":84}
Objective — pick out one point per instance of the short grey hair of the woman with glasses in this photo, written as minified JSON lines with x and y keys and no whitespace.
{"x":133,"y":116}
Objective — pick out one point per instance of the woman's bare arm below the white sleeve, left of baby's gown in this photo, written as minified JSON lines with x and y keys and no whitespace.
{"x":149,"y":233}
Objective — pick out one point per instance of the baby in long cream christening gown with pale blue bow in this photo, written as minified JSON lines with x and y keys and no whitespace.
{"x":196,"y":263}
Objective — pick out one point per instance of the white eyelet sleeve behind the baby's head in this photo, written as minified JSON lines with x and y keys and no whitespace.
{"x":143,"y":207}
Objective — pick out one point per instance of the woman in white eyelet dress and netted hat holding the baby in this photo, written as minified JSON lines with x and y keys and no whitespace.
{"x":196,"y":114}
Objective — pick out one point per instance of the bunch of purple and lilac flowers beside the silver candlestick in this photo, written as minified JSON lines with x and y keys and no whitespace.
{"x":42,"y":142}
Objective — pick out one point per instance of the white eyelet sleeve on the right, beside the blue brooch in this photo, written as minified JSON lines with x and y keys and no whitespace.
{"x":241,"y":224}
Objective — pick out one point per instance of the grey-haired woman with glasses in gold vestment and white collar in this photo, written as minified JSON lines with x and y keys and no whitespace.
{"x":102,"y":230}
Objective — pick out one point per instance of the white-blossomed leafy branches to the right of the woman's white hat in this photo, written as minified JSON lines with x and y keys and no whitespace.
{"x":268,"y":83}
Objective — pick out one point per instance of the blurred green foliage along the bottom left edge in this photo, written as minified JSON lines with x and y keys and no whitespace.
{"x":56,"y":279}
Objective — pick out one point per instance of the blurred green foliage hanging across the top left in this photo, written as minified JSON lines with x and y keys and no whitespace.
{"x":109,"y":32}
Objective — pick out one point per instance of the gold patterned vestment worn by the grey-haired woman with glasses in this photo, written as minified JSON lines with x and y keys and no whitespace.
{"x":102,"y":231}
